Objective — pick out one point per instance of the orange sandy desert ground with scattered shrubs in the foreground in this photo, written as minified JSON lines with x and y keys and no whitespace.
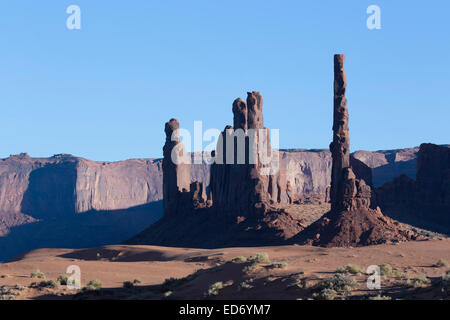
{"x":152,"y":265}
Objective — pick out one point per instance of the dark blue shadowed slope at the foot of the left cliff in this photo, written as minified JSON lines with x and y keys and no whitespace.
{"x":82,"y":230}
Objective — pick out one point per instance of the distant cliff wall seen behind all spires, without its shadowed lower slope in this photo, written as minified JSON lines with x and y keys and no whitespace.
{"x":62,"y":185}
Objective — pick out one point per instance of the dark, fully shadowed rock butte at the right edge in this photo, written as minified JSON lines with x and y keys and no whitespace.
{"x":426,"y":201}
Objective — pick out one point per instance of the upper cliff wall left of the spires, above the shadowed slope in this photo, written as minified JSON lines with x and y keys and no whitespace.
{"x":64,"y":184}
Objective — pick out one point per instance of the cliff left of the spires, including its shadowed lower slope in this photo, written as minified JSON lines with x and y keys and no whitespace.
{"x":65,"y":201}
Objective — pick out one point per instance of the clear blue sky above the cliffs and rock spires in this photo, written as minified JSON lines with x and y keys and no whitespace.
{"x":105,"y":91}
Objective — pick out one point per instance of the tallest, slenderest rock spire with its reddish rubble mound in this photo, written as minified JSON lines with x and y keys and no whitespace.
{"x":350,"y":222}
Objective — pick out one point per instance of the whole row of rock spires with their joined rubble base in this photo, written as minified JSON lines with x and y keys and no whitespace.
{"x":244,"y":202}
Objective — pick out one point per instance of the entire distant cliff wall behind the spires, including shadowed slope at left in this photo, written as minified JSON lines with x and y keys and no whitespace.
{"x":67,"y":191}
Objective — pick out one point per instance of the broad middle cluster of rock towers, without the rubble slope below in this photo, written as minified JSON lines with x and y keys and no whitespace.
{"x":242,"y":184}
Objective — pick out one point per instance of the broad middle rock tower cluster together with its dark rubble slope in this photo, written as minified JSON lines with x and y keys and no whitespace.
{"x":245,"y":191}
